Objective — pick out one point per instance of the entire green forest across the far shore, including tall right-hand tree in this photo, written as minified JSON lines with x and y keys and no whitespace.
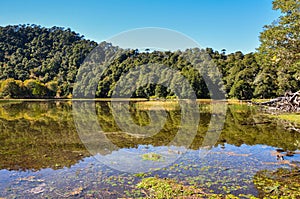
{"x":39,"y":62}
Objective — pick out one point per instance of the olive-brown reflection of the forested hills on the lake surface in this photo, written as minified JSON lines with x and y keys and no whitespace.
{"x":36,"y":135}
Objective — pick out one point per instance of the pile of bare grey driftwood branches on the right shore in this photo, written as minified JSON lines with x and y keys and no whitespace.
{"x":290,"y":102}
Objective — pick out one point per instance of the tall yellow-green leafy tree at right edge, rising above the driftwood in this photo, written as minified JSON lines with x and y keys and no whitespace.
{"x":280,"y":47}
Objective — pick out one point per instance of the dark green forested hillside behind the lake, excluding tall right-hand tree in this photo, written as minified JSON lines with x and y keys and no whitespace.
{"x":50,"y":59}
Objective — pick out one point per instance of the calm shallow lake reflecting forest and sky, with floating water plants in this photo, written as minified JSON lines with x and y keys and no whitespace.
{"x":62,"y":149}
